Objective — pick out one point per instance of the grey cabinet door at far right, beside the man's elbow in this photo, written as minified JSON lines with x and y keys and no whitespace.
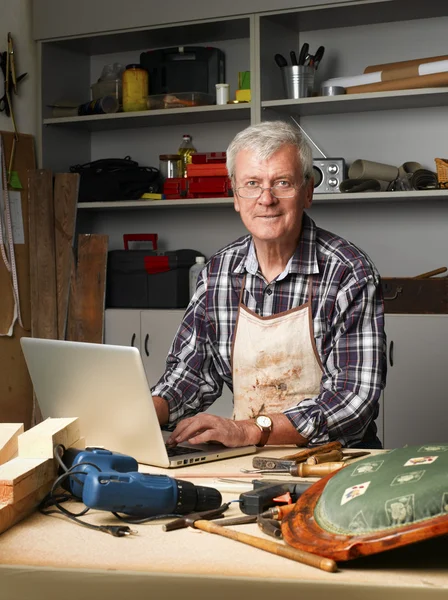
{"x":415,"y":400}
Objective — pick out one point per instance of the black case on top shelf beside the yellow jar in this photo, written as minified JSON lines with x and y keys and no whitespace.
{"x":184,"y":69}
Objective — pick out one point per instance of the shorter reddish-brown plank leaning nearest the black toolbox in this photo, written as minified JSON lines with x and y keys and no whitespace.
{"x":86,"y":315}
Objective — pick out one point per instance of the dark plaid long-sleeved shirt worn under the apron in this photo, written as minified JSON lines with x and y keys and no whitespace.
{"x":348,"y":324}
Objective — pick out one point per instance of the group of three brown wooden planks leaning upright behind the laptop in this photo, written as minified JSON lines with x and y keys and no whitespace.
{"x":67,"y":294}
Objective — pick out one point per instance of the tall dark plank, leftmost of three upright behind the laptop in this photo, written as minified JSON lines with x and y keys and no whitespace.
{"x":42,"y":255}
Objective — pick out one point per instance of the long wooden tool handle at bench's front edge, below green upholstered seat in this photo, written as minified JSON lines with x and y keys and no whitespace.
{"x":307,"y":558}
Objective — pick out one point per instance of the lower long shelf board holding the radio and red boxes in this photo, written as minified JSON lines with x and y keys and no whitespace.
{"x":362,"y":198}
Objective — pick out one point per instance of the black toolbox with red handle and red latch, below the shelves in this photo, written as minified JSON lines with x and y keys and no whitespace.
{"x":147,"y":278}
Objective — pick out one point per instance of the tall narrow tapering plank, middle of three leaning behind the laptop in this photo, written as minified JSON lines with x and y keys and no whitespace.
{"x":66,"y":186}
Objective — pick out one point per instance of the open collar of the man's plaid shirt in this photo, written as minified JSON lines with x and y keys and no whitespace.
{"x":304,"y":259}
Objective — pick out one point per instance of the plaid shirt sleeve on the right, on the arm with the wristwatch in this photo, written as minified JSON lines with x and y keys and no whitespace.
{"x":354,"y":368}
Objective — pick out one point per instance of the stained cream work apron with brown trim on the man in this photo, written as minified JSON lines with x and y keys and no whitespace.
{"x":275,"y":364}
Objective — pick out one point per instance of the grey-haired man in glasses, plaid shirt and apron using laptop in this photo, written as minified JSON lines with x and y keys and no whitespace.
{"x":290,"y":317}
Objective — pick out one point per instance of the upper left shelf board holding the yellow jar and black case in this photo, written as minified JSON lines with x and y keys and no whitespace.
{"x":154,"y":118}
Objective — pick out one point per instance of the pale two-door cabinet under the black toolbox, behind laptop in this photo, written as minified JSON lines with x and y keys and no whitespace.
{"x":152,"y":332}
